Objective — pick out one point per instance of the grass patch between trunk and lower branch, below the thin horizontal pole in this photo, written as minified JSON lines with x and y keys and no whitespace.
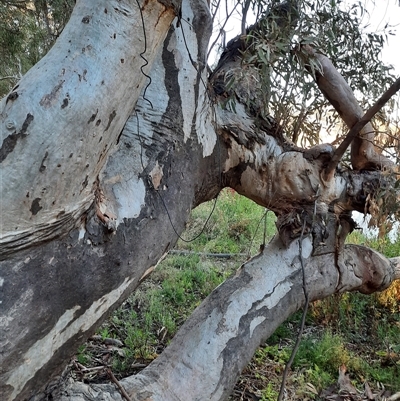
{"x":148,"y":320}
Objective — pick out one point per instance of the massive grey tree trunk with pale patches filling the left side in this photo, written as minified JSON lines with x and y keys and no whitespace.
{"x":79,"y":234}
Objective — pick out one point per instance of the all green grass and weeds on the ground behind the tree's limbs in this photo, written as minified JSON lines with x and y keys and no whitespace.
{"x":361,"y":332}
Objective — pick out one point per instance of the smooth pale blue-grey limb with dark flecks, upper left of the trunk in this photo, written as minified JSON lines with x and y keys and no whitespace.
{"x":97,"y":41}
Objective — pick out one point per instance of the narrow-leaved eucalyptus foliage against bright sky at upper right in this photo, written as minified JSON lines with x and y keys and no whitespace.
{"x":331,"y":27}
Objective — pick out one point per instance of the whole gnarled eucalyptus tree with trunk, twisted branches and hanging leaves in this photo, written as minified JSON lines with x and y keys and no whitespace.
{"x":112,"y":138}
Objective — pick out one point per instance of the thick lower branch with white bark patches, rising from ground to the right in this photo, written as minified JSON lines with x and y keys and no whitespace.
{"x":220,"y":337}
